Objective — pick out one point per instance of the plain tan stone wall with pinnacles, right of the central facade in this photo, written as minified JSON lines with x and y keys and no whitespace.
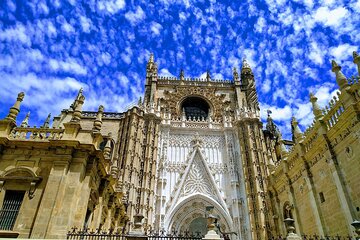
{"x":319,"y":176}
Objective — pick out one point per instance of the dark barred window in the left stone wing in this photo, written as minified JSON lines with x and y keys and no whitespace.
{"x":10,"y":209}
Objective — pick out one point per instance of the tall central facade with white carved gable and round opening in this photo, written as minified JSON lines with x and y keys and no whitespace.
{"x":199,"y":151}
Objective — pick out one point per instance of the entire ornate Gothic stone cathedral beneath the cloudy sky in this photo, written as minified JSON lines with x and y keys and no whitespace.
{"x":189,"y":144}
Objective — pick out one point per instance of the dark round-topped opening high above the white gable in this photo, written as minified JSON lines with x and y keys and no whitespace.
{"x":195,"y":107}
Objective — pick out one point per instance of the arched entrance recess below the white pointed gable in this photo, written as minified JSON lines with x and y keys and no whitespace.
{"x":190,"y":215}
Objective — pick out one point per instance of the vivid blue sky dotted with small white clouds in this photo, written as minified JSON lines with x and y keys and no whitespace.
{"x":49,"y":49}
